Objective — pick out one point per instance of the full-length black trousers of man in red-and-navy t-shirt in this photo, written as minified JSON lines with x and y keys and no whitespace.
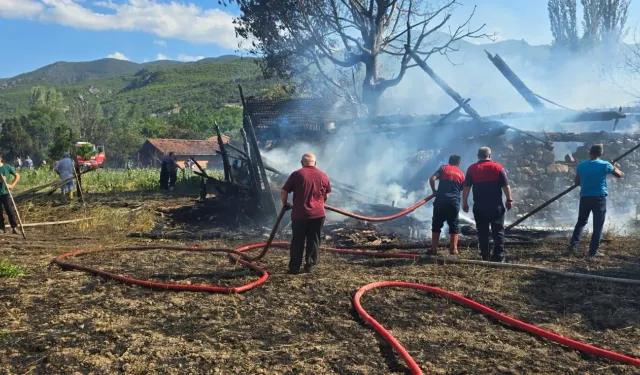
{"x":494,"y":218}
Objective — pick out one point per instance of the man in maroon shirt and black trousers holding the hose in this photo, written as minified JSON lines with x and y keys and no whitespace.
{"x":310,"y":187}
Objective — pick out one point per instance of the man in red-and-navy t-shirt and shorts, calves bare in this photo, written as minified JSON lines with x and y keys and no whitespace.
{"x":447,"y":203}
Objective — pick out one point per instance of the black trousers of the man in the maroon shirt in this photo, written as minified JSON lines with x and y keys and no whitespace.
{"x":309,"y":231}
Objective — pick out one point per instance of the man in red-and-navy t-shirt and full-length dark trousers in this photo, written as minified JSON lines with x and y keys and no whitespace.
{"x":488,"y":180}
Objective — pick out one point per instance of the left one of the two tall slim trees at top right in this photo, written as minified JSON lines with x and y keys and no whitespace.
{"x":562,"y":16}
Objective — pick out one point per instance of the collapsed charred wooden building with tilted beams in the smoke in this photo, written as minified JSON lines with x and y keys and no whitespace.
{"x":280,"y":123}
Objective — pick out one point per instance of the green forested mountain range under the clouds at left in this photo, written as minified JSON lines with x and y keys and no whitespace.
{"x":155,"y":86}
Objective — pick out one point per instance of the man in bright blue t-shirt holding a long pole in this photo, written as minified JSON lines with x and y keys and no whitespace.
{"x":591,"y":175}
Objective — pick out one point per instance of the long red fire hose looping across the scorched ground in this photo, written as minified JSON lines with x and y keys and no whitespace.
{"x":248,"y":261}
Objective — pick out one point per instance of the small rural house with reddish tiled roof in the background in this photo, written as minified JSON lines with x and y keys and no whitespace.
{"x":204,"y":151}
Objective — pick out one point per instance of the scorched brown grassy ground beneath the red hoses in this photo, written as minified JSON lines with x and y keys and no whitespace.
{"x":55,"y":322}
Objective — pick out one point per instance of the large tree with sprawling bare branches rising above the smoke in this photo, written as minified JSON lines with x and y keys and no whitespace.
{"x":339,"y":39}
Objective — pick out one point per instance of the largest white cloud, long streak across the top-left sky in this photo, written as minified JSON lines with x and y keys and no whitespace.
{"x":185,"y":21}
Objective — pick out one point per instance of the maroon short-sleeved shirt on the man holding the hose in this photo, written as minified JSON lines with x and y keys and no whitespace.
{"x":310,"y":187}
